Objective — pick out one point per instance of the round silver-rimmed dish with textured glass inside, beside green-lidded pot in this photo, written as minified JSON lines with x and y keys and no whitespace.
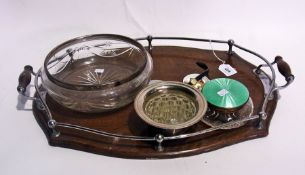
{"x":170,"y":106}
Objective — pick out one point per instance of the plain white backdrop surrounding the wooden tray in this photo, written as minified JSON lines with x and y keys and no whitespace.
{"x":30,"y":29}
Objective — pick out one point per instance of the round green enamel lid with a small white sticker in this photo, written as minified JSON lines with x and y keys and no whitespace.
{"x":225,"y":93}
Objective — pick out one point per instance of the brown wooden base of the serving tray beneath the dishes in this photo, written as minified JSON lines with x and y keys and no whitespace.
{"x":170,"y":63}
